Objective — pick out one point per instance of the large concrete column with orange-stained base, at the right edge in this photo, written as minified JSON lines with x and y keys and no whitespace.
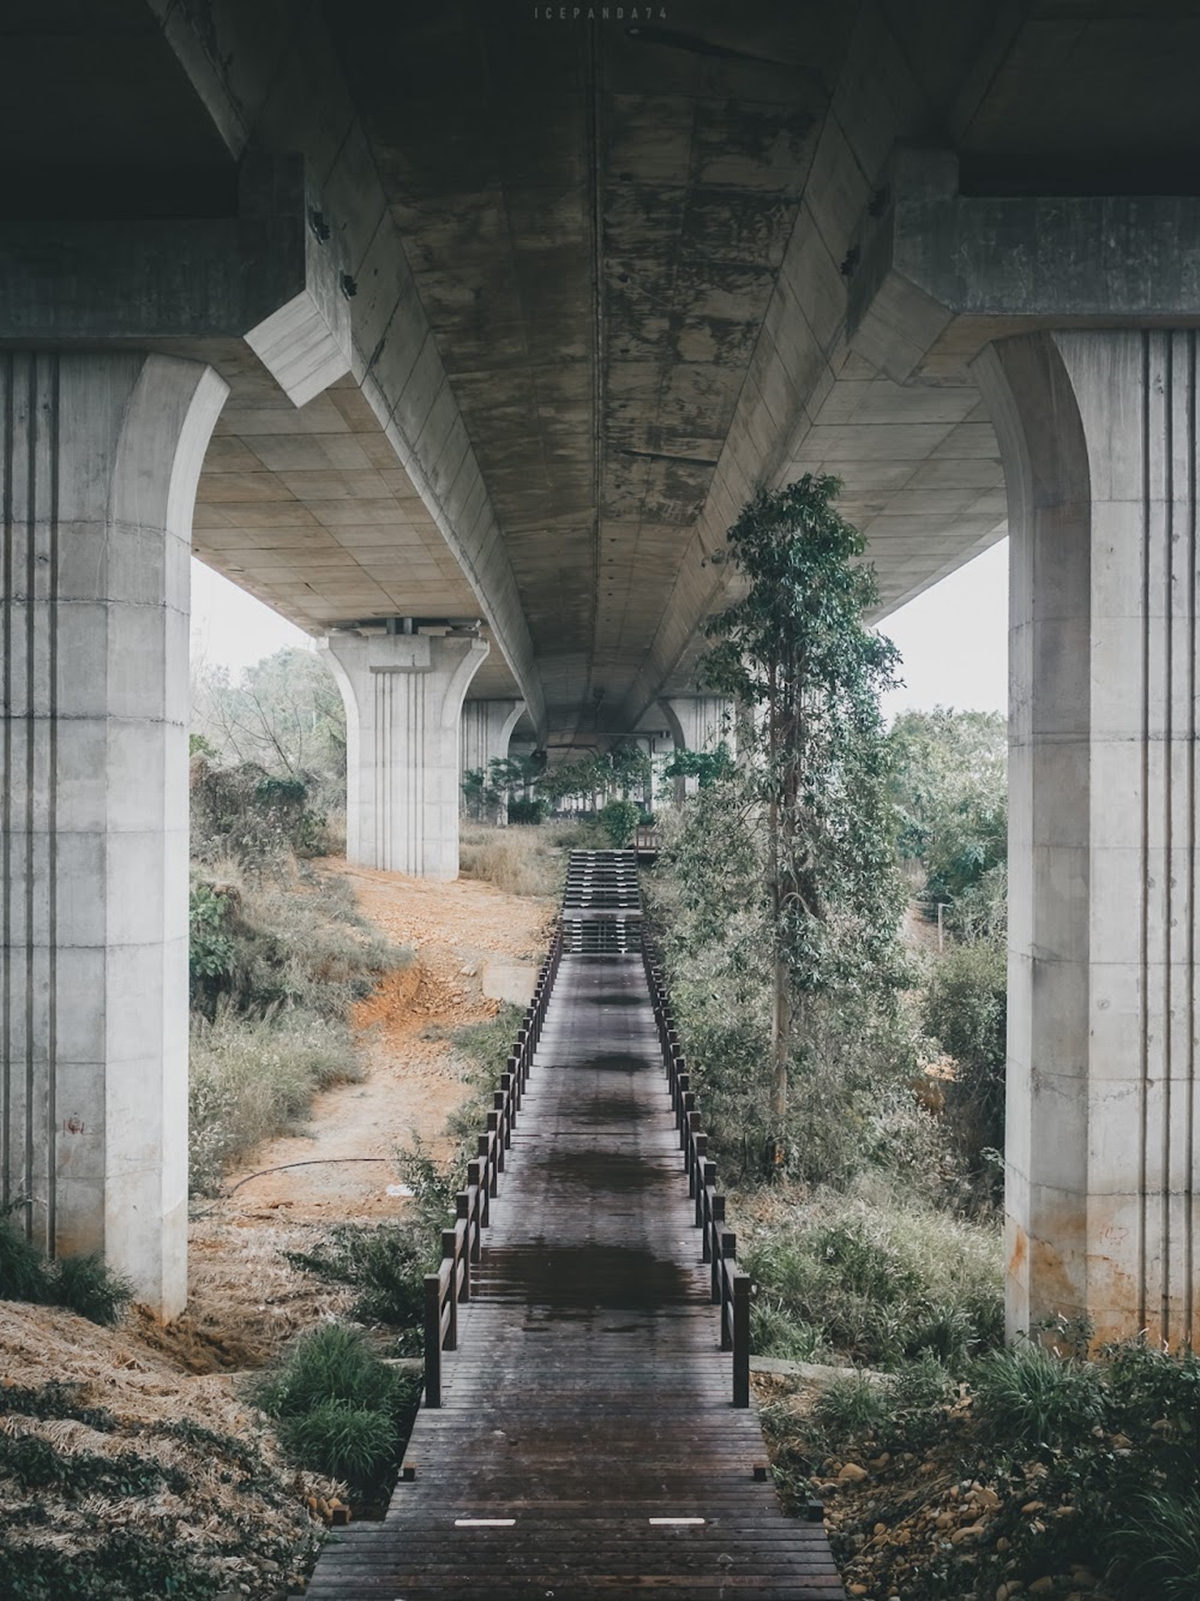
{"x":1098,"y":435}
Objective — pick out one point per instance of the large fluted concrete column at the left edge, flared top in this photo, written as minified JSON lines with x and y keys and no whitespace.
{"x":100,"y":463}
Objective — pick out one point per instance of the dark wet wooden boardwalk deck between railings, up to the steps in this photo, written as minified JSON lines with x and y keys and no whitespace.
{"x":586,"y":1443}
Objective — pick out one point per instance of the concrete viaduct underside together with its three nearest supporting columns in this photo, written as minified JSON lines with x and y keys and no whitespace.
{"x":460,"y":335}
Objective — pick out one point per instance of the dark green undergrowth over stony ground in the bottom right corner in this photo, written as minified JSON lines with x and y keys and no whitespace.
{"x":1041,"y":1472}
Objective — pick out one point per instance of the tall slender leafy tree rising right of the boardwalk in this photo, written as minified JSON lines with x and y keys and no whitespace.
{"x":796,"y":654}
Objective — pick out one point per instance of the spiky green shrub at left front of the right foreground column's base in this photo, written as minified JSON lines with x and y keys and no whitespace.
{"x":1028,"y":1397}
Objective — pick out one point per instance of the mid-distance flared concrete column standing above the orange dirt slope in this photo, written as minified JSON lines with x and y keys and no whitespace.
{"x":404,"y":697}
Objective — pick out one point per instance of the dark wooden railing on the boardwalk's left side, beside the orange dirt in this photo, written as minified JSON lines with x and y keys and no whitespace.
{"x":473,"y":1206}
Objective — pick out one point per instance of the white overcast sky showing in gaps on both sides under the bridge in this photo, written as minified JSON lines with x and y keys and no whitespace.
{"x":954,"y":638}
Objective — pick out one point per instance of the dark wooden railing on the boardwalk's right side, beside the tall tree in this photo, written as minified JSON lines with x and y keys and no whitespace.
{"x":730,"y":1285}
